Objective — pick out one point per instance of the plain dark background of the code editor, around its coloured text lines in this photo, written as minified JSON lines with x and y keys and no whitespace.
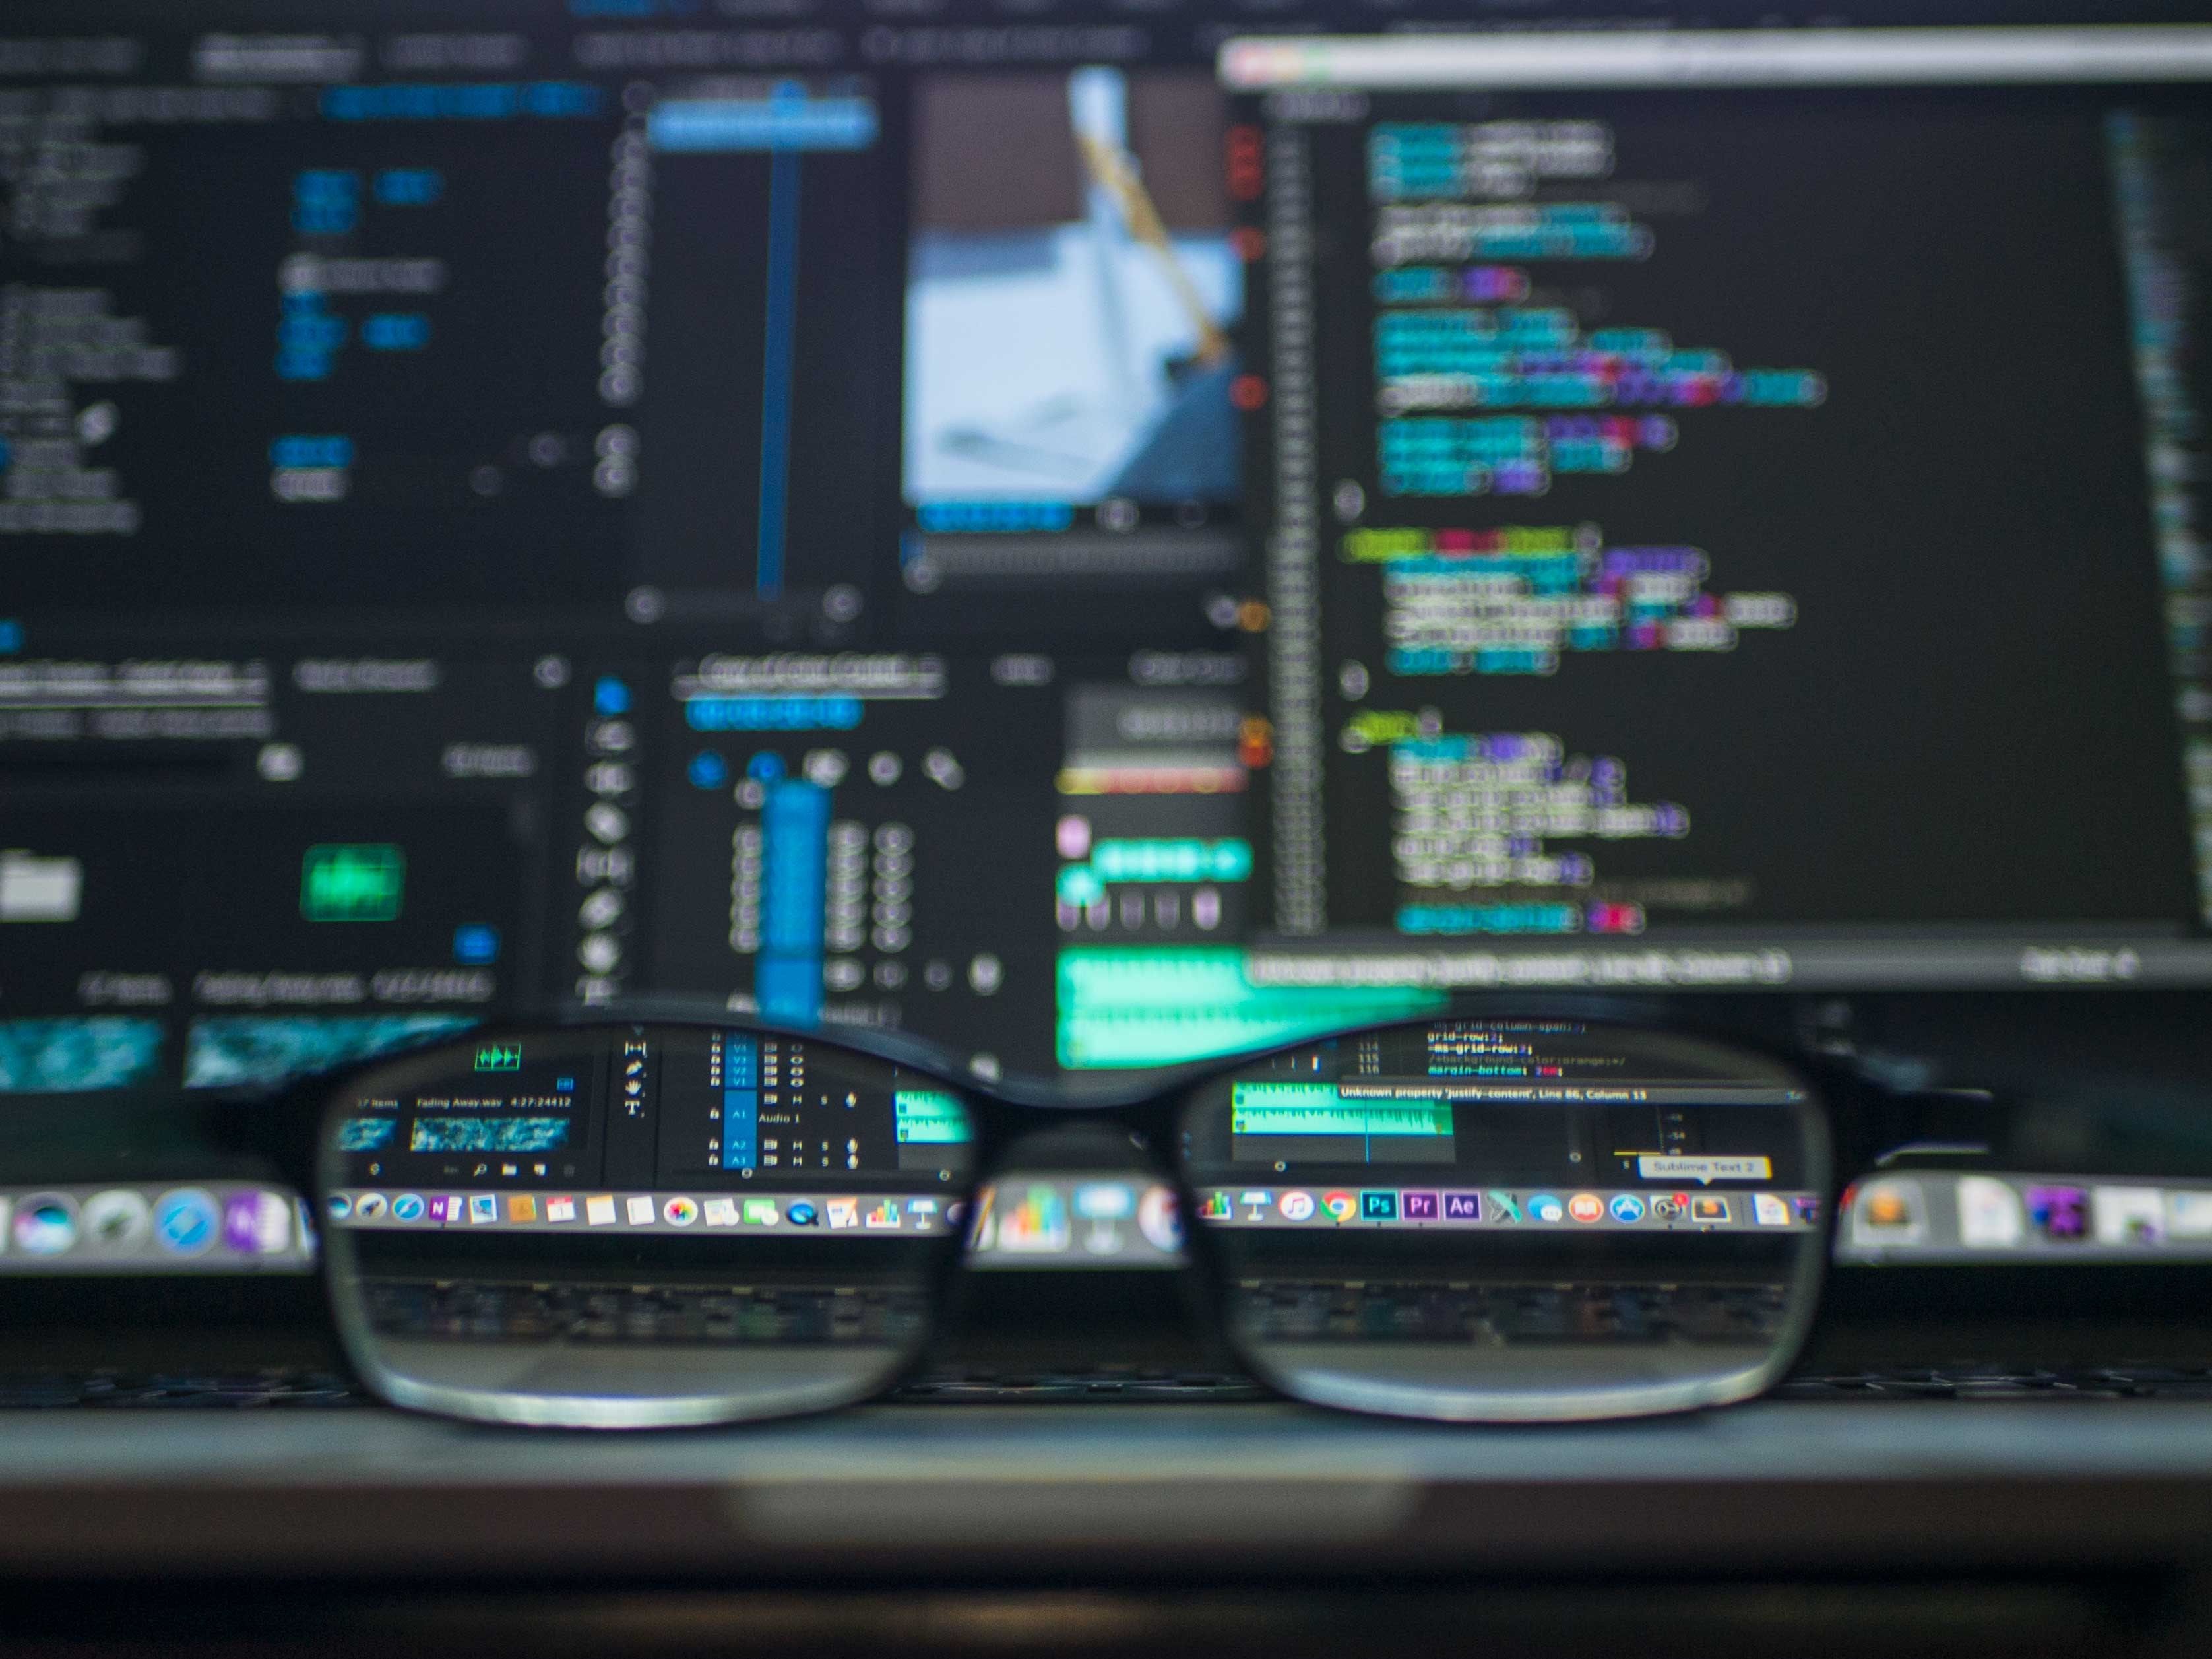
{"x":1972,"y":718}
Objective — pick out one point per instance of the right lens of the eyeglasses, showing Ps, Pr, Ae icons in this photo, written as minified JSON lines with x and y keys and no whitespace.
{"x":1514,"y":1220}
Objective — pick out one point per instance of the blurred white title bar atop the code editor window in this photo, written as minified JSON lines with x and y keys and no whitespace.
{"x":1722,"y":59}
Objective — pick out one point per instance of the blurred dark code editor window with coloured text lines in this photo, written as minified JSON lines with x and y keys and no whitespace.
{"x":1603,"y":472}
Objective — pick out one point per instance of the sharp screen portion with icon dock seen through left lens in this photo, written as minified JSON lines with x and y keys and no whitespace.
{"x":596,"y":1129}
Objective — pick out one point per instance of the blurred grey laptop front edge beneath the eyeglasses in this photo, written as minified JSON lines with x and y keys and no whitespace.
{"x":1005,"y":1492}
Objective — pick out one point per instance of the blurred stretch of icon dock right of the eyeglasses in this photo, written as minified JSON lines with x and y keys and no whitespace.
{"x":2032,"y":1220}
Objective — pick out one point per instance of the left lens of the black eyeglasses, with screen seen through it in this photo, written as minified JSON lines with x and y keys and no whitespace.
{"x":638,"y":1227}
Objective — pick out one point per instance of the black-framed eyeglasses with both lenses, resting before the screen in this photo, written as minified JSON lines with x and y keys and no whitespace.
{"x":674,"y":1224}
